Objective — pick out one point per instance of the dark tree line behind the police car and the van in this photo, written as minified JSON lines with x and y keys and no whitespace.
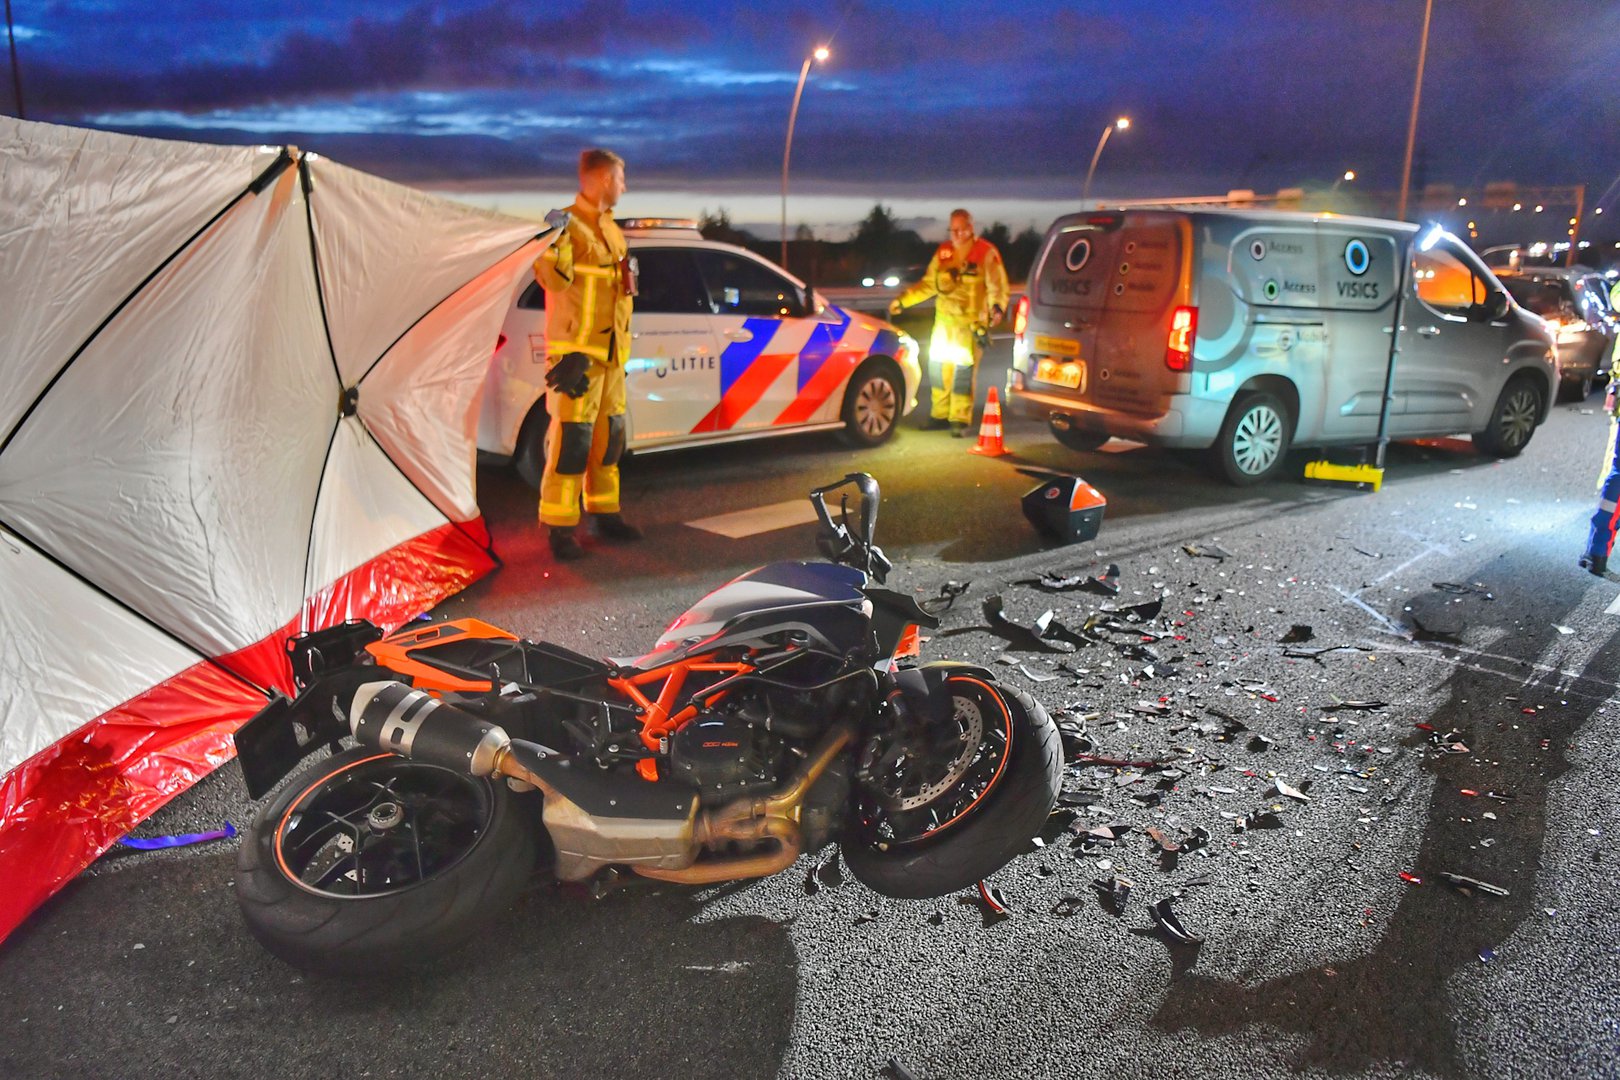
{"x":879,"y":247}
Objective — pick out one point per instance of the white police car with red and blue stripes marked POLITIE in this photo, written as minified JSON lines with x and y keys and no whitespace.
{"x":723,"y":347}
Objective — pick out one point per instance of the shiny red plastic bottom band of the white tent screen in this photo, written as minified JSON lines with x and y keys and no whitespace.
{"x":75,"y":799}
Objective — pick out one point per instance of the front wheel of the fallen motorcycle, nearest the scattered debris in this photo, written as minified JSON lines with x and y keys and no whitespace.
{"x":944,"y":820}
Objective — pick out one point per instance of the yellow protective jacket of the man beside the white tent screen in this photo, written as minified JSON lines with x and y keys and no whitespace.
{"x":587,"y":281}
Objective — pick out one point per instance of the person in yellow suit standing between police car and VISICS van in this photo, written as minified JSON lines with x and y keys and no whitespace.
{"x":971,"y":287}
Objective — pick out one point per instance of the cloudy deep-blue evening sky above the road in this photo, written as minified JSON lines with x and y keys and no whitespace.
{"x":945,"y":98}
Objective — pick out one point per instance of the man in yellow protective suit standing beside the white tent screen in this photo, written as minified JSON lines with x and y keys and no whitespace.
{"x":589,"y":278}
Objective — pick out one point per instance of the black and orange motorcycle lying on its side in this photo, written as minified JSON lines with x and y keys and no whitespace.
{"x":785,"y":712}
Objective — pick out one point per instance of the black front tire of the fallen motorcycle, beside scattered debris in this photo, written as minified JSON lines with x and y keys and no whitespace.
{"x":999,"y":827}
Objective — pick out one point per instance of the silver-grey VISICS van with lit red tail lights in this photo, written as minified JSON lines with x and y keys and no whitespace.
{"x":1250,"y":333}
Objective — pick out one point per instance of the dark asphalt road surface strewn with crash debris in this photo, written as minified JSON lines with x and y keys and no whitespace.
{"x":1447,"y":605}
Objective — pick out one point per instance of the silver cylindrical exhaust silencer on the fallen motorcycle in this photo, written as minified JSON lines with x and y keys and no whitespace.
{"x":411,"y":723}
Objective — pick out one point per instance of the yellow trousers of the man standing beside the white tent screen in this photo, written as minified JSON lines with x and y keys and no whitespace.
{"x":584,"y":446}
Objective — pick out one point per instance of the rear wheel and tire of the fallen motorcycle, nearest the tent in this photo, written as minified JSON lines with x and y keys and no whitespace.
{"x":390,"y":909}
